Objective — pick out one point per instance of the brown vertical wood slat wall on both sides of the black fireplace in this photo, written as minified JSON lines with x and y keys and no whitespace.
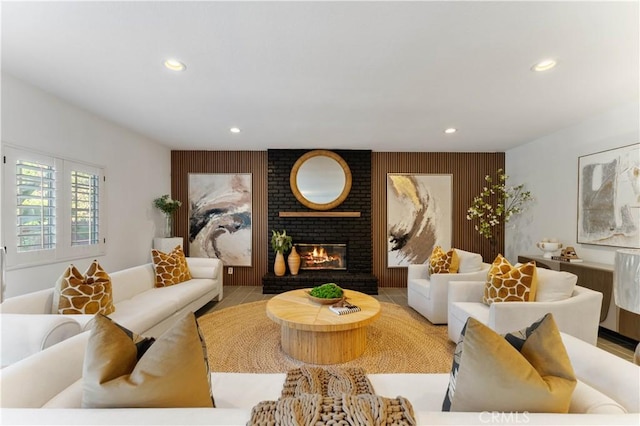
{"x":468,"y":170}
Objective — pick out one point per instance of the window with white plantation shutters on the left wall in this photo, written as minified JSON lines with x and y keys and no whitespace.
{"x":54,"y":208}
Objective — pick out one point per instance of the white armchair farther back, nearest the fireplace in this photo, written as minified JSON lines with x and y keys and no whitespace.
{"x":427,"y":294}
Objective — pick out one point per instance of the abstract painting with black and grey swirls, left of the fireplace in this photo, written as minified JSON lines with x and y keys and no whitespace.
{"x":220,"y":217}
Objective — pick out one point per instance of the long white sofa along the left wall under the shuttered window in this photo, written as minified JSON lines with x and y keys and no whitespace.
{"x":28,"y":325}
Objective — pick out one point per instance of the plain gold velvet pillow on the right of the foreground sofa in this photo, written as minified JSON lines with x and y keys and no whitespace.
{"x":528,"y":370}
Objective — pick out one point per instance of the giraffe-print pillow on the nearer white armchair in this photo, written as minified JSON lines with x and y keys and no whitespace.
{"x":506,"y":283}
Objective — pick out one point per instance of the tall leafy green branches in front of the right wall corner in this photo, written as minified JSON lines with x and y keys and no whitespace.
{"x":511,"y":200}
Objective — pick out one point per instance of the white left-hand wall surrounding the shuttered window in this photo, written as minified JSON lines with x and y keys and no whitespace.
{"x":138,"y":170}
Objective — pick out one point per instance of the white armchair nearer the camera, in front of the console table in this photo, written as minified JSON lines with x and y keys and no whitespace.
{"x":577,"y":315}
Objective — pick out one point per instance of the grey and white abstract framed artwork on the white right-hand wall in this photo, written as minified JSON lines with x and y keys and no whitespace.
{"x":609,"y":197}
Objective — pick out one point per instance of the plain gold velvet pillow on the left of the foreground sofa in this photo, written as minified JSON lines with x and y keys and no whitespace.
{"x":122,"y":369}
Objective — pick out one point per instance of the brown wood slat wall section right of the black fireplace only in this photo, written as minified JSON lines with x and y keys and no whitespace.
{"x":468,"y":170}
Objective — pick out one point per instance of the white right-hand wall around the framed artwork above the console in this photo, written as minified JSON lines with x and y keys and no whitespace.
{"x":548,"y":167}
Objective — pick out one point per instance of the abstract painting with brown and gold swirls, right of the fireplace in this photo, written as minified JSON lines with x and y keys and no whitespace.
{"x":419,"y":216}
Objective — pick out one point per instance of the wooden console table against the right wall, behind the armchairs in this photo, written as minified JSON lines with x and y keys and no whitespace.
{"x":598,"y":277}
